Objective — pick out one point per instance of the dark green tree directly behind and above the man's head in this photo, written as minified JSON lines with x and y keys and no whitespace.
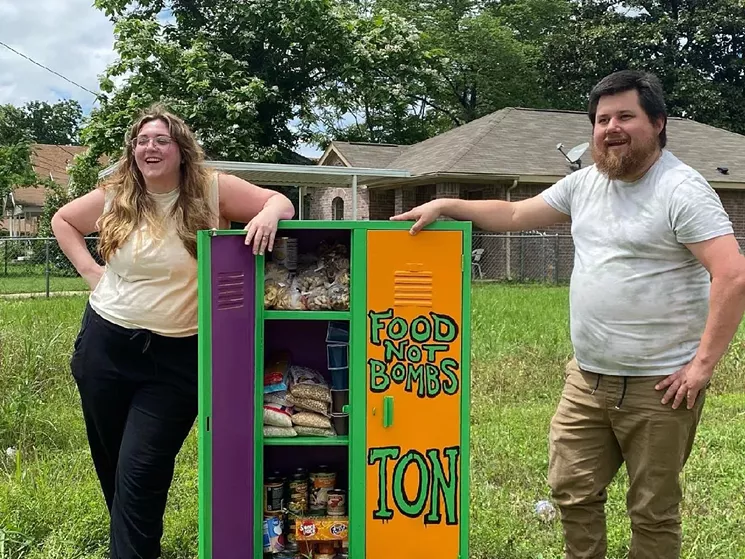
{"x":695,"y":48}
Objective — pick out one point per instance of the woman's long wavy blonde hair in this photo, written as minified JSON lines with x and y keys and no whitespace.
{"x":131,"y":204}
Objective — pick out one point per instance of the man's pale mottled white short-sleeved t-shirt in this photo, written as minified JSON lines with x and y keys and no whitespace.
{"x":639,"y":299}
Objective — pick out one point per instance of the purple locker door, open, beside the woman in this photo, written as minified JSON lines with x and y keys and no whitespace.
{"x":233,"y":378}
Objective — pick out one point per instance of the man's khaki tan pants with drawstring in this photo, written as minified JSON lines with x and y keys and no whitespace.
{"x":601,"y":422}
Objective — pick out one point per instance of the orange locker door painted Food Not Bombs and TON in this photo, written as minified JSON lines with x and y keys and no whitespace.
{"x":414,"y":317}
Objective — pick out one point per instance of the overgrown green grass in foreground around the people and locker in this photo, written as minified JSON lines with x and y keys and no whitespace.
{"x":51,"y":507}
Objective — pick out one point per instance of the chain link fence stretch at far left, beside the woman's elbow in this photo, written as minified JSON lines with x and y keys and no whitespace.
{"x":36,"y":265}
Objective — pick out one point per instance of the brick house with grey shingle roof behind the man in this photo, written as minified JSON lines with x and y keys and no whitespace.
{"x":512,"y":154}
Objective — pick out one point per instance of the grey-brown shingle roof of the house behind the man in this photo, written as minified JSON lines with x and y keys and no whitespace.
{"x":519,"y":142}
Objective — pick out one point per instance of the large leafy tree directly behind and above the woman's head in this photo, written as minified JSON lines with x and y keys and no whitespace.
{"x":247,"y":76}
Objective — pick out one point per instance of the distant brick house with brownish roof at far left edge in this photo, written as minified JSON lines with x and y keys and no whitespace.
{"x":22,"y":208}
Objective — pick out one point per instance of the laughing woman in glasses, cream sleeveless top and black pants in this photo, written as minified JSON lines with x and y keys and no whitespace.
{"x":135,"y":357}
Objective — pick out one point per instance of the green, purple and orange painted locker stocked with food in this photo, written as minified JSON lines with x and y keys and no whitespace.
{"x":373,"y":325}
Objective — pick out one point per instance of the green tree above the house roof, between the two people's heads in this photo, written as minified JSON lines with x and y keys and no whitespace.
{"x":469,"y":63}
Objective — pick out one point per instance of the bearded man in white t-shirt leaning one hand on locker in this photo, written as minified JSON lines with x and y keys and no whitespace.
{"x":657,"y":293}
